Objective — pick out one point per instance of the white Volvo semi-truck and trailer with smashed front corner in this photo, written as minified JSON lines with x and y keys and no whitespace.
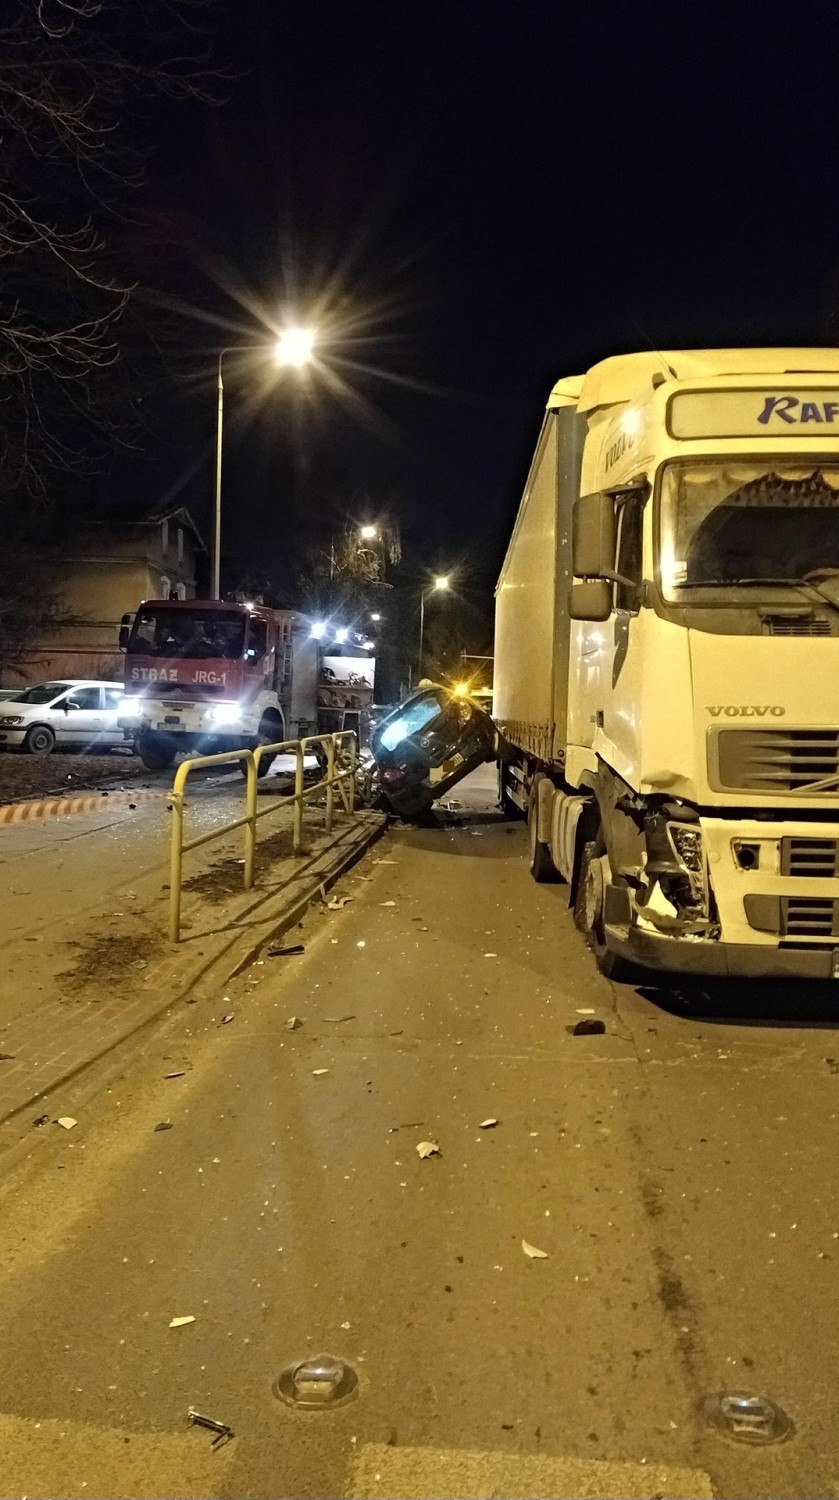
{"x":667,"y":661}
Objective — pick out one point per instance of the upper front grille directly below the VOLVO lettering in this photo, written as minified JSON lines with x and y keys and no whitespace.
{"x":778,"y":761}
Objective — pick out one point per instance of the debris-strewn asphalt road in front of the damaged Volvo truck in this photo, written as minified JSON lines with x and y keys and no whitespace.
{"x":678,"y":1172}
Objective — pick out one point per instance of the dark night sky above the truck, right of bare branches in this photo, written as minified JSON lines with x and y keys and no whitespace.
{"x":484,"y":200}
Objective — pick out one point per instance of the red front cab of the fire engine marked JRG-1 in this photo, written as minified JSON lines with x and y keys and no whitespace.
{"x":205,"y":676}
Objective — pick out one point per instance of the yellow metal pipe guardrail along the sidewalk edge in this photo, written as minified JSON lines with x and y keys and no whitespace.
{"x":335,"y":748}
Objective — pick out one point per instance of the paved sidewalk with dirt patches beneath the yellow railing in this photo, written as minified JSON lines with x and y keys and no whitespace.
{"x":122,"y":971}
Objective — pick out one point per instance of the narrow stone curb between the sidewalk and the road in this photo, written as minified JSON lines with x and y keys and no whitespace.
{"x":187,"y":985}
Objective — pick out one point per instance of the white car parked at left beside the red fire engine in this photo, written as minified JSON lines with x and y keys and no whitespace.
{"x":80,"y":715}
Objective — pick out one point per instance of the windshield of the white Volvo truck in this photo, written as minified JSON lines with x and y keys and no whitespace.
{"x":726,"y":523}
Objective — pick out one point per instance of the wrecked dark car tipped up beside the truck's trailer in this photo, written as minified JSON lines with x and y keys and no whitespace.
{"x":427,"y":746}
